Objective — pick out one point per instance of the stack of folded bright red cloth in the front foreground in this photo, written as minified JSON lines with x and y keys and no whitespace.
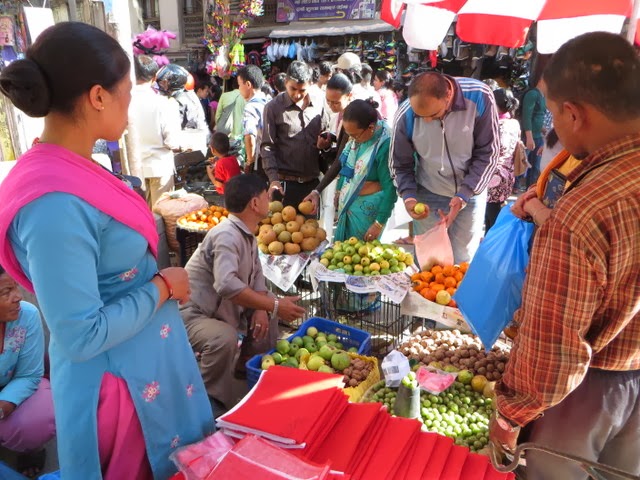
{"x":308,"y":413}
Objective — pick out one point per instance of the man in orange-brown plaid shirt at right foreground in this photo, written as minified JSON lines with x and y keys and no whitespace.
{"x":574,"y":373}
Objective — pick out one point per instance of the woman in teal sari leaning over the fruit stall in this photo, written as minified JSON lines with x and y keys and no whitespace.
{"x":366,"y":194}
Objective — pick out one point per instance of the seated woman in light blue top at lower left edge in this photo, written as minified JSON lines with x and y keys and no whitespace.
{"x":26,"y":407}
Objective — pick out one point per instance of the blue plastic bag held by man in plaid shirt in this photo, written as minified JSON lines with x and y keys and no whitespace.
{"x":491,"y":291}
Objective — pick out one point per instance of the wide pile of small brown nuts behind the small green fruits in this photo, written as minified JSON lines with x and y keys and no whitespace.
{"x":450,"y":347}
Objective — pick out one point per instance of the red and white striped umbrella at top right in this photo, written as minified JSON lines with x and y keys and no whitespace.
{"x":505,"y":22}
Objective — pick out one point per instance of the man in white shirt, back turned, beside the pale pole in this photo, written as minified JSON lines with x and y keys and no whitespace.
{"x":155,"y":121}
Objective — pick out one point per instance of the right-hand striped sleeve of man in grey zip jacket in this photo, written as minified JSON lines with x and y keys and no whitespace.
{"x":486,"y":149}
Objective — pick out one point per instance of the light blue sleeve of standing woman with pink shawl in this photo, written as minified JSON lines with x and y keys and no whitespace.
{"x":61,"y":236}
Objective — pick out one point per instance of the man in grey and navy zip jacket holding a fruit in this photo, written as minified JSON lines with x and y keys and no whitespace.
{"x":444,"y":149}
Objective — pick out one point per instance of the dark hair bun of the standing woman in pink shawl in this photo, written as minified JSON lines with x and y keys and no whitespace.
{"x":25,"y":85}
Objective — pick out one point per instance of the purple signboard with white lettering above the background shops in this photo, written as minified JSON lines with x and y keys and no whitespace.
{"x":309,"y":10}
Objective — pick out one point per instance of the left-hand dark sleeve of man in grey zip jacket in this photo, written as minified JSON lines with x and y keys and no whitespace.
{"x":402,"y":163}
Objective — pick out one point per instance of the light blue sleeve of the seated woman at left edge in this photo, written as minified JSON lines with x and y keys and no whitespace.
{"x":30,"y":366}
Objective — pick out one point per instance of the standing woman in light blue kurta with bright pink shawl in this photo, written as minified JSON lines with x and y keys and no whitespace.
{"x":126,"y":387}
